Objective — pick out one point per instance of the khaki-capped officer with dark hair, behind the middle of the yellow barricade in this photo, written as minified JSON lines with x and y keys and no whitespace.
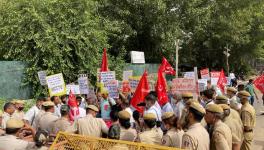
{"x":127,"y":133}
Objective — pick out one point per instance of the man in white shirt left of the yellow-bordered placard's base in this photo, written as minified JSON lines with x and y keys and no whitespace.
{"x":31,"y":114}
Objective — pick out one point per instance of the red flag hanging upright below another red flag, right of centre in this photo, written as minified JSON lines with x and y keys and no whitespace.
{"x":161,"y":88}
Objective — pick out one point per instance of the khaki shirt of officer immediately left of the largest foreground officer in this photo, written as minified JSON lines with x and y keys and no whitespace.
{"x":173,"y":138}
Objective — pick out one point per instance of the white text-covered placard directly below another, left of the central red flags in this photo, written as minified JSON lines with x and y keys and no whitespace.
{"x":112,"y":87}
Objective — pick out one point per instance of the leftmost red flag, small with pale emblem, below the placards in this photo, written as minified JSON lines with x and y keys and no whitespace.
{"x":74,"y":110}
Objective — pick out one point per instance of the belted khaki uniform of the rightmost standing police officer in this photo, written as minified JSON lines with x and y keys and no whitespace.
{"x":248,"y":116}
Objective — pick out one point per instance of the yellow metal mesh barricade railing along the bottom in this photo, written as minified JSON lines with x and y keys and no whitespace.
{"x":66,"y":141}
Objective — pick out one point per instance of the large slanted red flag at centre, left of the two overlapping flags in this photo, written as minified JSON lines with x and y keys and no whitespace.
{"x":140,"y":93}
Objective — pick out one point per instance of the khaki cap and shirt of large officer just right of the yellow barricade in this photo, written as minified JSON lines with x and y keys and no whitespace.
{"x":196,"y":137}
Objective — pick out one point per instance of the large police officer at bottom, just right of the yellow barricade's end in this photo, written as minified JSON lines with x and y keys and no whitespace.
{"x":196,"y":137}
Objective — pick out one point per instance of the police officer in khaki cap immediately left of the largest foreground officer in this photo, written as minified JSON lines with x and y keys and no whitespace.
{"x":173,"y":137}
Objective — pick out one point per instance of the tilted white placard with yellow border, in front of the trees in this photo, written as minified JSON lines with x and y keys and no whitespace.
{"x":56,"y":85}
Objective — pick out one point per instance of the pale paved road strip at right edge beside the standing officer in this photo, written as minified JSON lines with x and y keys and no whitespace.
{"x":258,"y":143}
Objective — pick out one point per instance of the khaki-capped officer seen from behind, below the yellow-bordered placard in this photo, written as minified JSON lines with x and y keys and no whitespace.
{"x":48,"y":119}
